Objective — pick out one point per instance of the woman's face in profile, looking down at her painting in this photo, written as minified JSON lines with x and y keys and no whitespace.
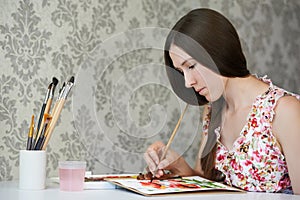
{"x":205,"y":82}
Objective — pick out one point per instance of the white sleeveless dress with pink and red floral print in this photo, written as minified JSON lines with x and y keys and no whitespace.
{"x":256,"y":163}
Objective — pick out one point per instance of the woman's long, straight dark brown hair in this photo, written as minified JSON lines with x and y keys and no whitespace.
{"x":211,"y":39}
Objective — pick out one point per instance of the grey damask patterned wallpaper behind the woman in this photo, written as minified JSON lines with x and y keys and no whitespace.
{"x":121,"y":101}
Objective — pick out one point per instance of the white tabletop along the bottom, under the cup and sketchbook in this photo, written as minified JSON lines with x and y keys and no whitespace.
{"x":10,"y":191}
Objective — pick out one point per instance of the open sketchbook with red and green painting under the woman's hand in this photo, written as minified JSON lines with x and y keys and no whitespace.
{"x":171,"y":186}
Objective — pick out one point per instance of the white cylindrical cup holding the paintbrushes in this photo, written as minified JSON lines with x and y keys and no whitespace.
{"x":32,"y":170}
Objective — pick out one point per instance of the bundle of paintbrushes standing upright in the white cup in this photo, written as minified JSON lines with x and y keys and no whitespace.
{"x":38,"y":138}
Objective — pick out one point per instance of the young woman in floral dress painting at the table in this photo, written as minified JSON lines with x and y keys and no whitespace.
{"x":251,"y":128}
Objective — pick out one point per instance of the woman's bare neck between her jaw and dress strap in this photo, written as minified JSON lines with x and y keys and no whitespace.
{"x":240,"y":93}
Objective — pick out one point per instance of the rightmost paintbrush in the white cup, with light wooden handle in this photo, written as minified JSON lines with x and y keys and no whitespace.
{"x":57,"y":109}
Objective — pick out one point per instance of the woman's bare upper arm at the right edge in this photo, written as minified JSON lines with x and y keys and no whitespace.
{"x":286,"y":127}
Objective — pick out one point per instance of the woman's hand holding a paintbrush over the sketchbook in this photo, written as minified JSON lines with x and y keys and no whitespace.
{"x":172,"y":161}
